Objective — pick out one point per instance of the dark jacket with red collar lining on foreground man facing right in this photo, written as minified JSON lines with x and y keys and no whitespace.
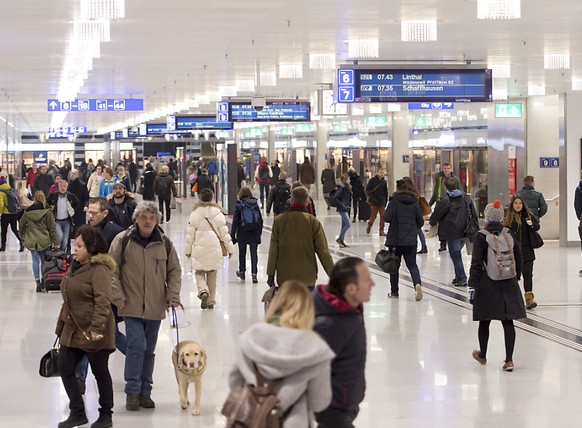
{"x":342,"y":327}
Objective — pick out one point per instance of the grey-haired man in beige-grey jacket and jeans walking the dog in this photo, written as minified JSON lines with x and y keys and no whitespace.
{"x":147,"y":282}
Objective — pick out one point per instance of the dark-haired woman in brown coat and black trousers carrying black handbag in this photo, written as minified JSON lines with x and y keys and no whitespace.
{"x":86,"y":325}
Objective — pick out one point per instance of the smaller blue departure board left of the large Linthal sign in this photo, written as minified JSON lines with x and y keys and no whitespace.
{"x":273,"y":111}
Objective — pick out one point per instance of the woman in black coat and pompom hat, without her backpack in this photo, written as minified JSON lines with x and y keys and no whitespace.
{"x":494,"y":300}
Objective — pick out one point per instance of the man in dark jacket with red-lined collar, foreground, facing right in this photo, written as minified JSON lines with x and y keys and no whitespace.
{"x":339,"y":321}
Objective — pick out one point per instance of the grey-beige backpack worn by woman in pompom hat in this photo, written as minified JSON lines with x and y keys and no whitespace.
{"x":500,"y":258}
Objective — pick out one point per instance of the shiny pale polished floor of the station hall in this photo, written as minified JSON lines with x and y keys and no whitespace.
{"x":419,"y":369}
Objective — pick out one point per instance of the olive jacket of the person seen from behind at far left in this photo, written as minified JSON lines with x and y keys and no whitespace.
{"x":38,"y":228}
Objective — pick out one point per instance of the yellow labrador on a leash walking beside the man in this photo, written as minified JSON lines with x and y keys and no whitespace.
{"x":189,"y":359}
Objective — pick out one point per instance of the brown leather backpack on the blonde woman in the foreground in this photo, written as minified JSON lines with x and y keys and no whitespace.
{"x":254,"y":406}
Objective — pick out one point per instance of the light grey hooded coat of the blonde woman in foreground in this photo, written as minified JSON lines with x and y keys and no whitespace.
{"x":302,"y":359}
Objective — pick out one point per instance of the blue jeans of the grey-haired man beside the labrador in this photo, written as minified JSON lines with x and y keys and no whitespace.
{"x":142,"y":337}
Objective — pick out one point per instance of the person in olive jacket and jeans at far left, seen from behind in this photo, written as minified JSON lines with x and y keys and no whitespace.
{"x":38,"y":230}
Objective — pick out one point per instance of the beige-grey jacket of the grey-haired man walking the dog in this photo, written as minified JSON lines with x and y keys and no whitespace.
{"x":148,"y":277}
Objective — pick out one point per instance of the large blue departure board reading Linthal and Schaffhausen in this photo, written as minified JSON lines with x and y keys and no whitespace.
{"x":389,"y":85}
